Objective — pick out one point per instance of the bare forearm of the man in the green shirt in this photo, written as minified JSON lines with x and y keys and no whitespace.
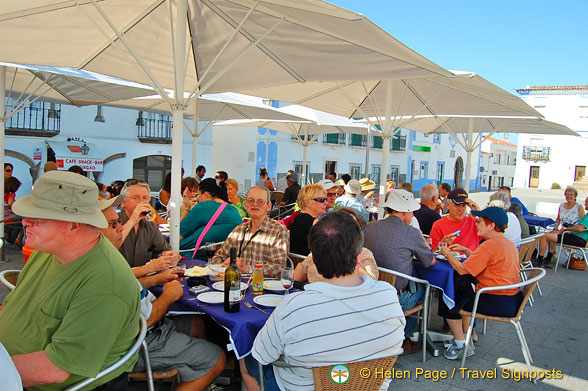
{"x":36,"y":368}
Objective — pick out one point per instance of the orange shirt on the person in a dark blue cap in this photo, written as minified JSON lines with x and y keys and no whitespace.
{"x":495,"y":262}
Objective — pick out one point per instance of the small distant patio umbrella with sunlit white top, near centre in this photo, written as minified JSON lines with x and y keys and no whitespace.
{"x":306,"y":133}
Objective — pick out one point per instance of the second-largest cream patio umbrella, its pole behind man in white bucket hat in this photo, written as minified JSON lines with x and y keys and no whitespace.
{"x":393,"y":104}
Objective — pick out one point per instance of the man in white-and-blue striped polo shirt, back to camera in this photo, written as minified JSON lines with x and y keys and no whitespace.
{"x":348,"y":318}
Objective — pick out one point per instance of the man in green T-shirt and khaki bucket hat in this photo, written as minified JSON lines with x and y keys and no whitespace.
{"x":75,"y":309}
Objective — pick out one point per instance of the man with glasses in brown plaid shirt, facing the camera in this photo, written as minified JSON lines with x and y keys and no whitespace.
{"x":258,"y":240}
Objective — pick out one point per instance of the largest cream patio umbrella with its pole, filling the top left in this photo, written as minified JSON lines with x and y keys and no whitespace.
{"x":206,"y":46}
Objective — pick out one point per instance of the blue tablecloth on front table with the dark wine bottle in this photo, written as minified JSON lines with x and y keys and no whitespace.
{"x":242,"y":326}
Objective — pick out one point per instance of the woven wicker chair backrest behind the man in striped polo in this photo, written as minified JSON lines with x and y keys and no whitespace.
{"x":355,"y":382}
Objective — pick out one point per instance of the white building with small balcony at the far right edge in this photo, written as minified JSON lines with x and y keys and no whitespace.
{"x":546,"y":160}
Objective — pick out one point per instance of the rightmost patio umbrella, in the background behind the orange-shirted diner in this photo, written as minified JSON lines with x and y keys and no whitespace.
{"x":463,"y":128}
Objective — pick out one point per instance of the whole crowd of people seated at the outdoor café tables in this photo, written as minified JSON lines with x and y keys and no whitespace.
{"x":99,"y":250}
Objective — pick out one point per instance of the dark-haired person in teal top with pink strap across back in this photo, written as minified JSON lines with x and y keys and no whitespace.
{"x":211,"y":196}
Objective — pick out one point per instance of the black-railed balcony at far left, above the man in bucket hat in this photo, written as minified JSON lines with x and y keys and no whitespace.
{"x":36,"y":119}
